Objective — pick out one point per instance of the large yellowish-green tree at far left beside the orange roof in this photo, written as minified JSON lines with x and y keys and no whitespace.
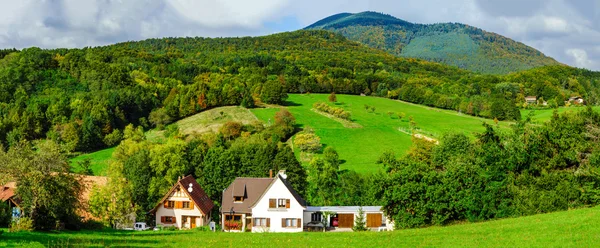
{"x":49,"y":193}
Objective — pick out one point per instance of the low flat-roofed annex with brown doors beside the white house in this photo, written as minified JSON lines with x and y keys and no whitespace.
{"x":344,"y":217}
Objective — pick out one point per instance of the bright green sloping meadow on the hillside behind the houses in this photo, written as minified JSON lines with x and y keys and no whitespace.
{"x":359,"y":148}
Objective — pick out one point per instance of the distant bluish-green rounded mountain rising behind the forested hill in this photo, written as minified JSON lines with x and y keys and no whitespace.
{"x":454,"y":44}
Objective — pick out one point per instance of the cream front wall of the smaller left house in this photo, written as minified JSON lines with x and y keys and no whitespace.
{"x":201,"y":219}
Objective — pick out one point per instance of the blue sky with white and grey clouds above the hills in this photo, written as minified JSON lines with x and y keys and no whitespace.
{"x":568,"y":31}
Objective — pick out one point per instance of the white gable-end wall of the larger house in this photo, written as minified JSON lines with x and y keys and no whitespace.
{"x":261,"y":209}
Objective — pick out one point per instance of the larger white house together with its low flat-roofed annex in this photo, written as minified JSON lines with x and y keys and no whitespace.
{"x":272,"y":205}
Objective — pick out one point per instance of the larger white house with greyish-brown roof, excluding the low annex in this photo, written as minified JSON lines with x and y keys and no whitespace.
{"x":262,"y":205}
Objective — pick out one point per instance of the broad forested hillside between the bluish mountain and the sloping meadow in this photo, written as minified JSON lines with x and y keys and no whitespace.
{"x":83,"y":98}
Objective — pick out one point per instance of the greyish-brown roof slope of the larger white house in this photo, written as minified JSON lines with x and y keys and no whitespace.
{"x":251,"y":188}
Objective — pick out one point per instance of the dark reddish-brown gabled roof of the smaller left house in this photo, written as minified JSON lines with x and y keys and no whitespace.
{"x":198,"y":196}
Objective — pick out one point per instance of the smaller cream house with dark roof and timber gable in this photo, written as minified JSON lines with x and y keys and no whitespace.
{"x":185,"y":206}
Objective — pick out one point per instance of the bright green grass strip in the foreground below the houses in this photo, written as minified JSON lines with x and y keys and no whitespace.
{"x":574,"y":228}
